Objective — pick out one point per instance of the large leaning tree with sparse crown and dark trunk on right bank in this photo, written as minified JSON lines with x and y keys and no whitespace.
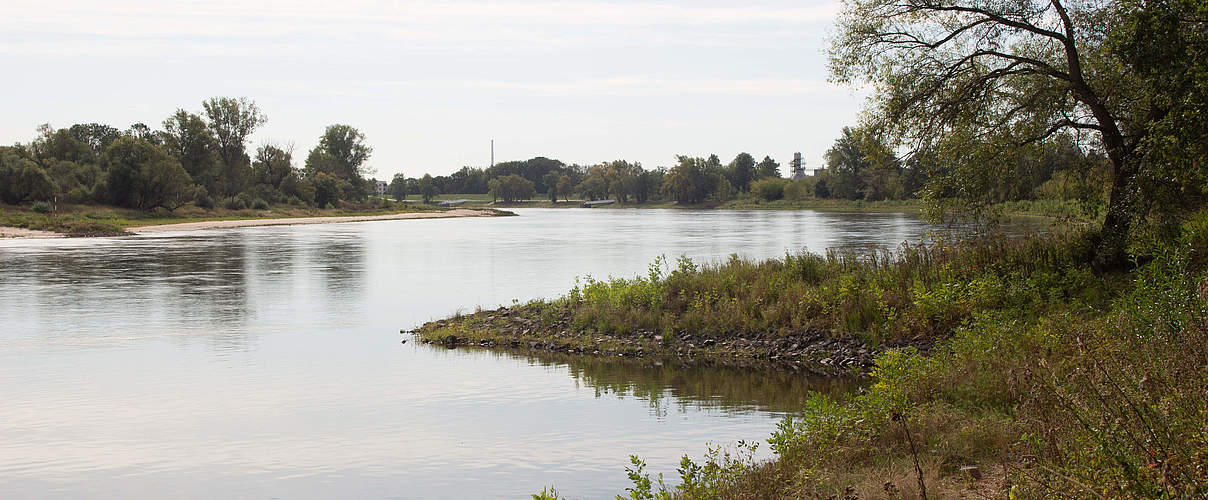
{"x":978,"y":82}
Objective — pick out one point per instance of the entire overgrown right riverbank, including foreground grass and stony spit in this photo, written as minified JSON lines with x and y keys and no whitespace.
{"x":1025,"y":374}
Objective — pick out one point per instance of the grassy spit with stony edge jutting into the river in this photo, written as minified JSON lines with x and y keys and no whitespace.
{"x":829,"y":315}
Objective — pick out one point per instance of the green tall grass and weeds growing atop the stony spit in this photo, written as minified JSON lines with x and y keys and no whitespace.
{"x":878,"y":296}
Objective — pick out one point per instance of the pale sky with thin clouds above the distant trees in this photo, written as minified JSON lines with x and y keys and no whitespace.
{"x":431,"y":84}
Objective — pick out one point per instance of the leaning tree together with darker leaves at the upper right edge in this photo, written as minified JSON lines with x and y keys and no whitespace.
{"x":977,"y":85}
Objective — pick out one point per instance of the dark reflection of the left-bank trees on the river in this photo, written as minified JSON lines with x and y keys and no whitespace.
{"x":216,"y":288}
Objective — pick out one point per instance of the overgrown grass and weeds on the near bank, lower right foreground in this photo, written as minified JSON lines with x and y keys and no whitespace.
{"x":1075,"y":387}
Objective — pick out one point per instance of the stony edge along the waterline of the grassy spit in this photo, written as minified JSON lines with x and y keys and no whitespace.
{"x":816,"y":352}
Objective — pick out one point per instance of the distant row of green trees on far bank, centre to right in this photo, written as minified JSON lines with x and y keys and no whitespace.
{"x":861,"y":166}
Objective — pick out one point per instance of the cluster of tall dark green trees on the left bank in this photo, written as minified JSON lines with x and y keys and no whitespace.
{"x":193,"y":159}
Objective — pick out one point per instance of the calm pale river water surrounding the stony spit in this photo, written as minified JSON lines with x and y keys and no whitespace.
{"x":268,"y":363}
